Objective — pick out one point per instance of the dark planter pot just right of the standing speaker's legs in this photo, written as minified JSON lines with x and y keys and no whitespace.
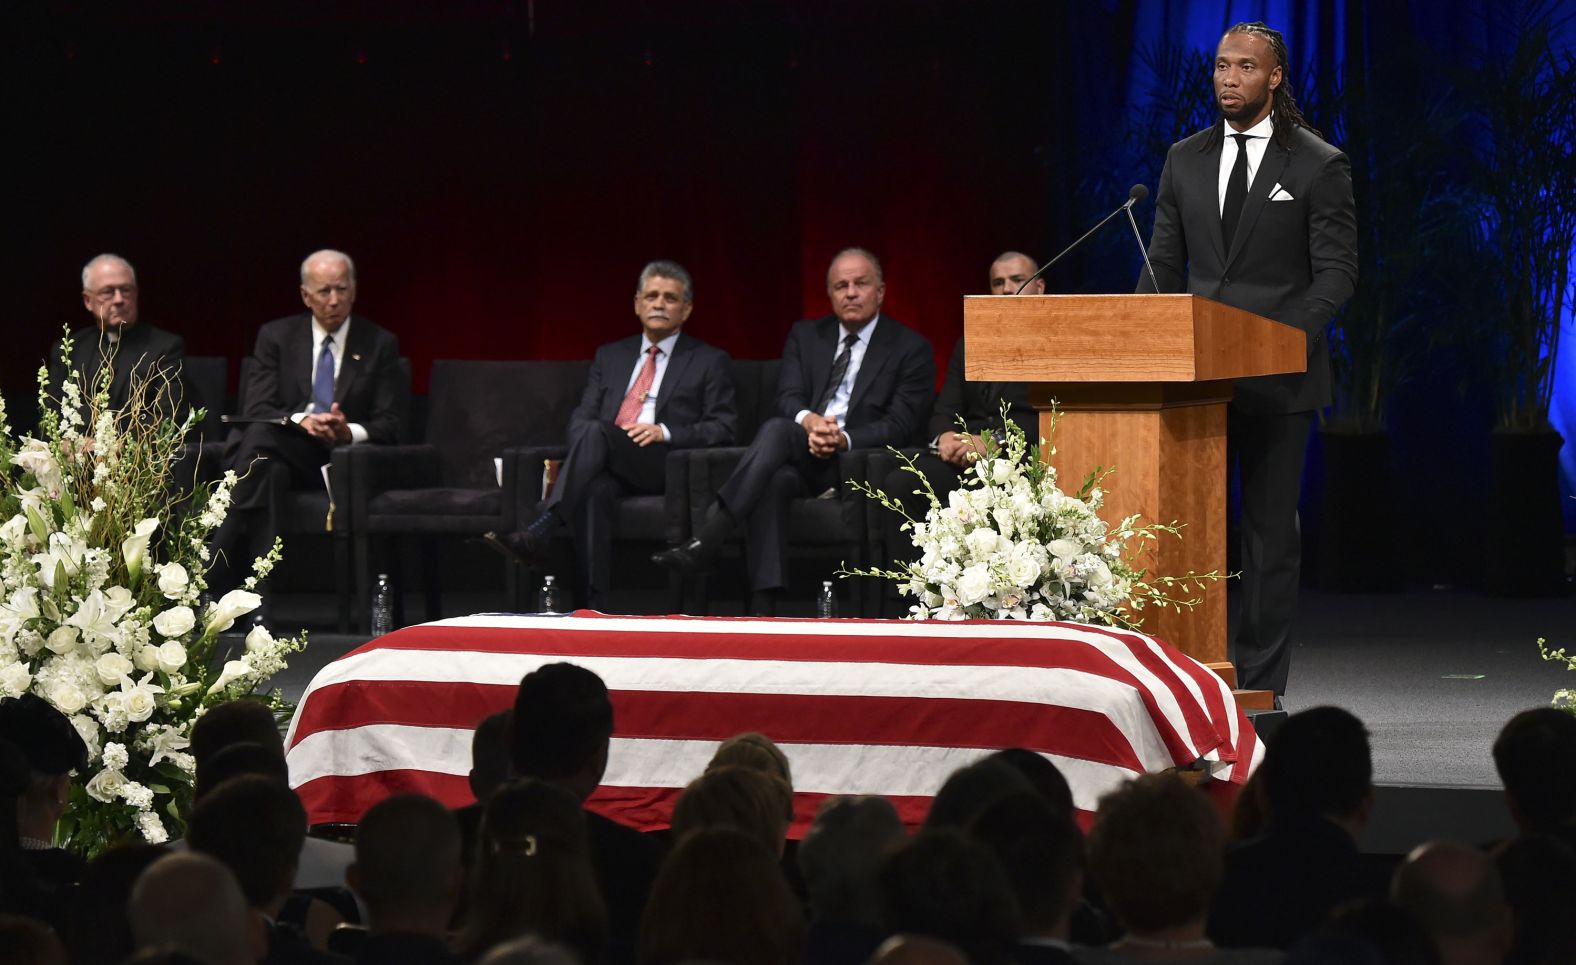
{"x":1359,"y":529}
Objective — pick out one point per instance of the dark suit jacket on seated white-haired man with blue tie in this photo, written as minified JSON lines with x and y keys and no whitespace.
{"x":371,"y":389}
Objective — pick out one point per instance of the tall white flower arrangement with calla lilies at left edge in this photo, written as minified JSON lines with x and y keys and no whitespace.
{"x":102,"y":603}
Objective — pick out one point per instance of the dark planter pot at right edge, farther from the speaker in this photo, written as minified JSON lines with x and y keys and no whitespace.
{"x":1525,"y":531}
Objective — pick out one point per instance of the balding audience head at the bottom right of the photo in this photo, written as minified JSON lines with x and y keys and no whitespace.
{"x":1457,"y":896}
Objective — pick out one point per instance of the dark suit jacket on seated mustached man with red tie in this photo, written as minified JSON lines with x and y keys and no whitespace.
{"x":696,"y":400}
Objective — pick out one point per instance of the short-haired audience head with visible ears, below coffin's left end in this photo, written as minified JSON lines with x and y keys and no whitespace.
{"x":407,"y":865}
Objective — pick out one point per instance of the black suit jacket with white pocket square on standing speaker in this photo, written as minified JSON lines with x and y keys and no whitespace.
{"x":1292,"y":261}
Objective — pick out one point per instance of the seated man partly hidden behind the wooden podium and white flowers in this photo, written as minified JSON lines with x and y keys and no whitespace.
{"x":953,"y":452}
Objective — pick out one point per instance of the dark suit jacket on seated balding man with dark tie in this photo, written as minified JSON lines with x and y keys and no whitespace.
{"x":893,"y":392}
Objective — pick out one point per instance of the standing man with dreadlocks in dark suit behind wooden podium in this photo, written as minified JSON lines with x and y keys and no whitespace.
{"x":1257,"y":212}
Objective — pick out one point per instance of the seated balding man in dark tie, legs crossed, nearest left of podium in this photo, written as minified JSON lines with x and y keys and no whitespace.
{"x":850,"y":379}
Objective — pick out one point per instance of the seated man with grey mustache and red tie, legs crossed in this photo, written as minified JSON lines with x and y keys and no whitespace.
{"x":647,"y":397}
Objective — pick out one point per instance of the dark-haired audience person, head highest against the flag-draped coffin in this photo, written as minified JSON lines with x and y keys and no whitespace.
{"x":563,"y":729}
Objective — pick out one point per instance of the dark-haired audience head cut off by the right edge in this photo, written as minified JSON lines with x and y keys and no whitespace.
{"x":1536,"y":758}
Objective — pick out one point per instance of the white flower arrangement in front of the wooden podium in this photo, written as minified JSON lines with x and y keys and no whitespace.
{"x":1009,"y":545}
